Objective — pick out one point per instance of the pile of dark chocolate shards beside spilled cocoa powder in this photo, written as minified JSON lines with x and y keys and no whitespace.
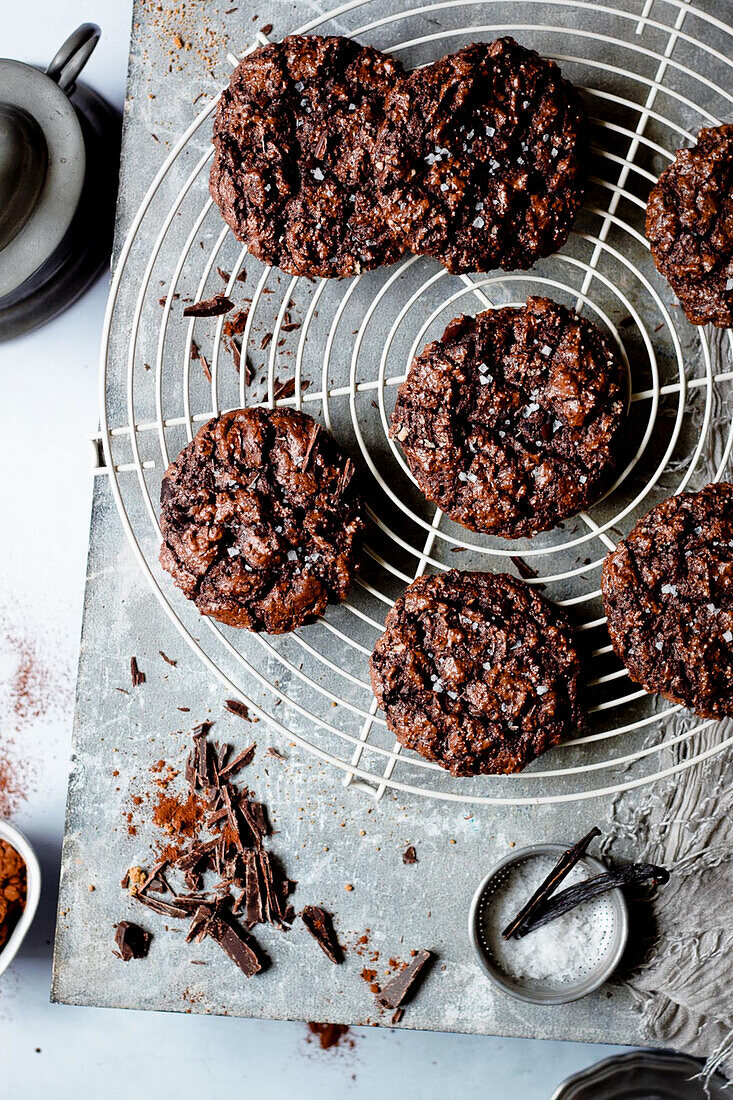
{"x":248,"y":883}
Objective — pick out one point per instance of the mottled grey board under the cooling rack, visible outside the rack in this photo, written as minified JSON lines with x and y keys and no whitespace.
{"x":327,"y":838}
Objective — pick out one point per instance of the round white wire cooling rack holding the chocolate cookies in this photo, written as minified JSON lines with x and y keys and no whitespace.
{"x":653,"y":73}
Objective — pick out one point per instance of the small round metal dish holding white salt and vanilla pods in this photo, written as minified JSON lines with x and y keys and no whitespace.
{"x":595,"y":965}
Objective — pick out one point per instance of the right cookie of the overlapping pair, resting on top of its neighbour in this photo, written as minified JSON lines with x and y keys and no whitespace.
{"x":480,"y":159}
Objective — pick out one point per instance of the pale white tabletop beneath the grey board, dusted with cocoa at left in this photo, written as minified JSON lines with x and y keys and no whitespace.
{"x":49,"y":409}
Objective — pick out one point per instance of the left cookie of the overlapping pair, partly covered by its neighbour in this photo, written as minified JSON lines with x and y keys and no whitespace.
{"x":293,"y":170}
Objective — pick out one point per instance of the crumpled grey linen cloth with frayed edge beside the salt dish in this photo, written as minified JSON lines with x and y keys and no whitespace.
{"x":685,"y":987}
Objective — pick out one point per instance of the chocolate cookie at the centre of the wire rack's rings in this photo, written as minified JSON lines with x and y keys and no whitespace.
{"x":512,"y":421}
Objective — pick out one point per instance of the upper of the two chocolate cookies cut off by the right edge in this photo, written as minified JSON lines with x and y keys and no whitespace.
{"x":690,"y":224}
